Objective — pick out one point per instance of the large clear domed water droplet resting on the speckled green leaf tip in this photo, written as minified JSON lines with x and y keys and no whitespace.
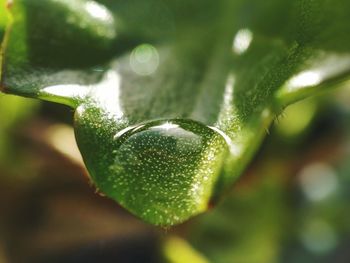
{"x":165,"y":170}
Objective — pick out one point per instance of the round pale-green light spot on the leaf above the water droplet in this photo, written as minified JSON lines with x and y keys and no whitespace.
{"x":144,"y":59}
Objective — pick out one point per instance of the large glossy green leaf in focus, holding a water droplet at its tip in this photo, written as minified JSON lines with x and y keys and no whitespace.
{"x":173,"y":98}
